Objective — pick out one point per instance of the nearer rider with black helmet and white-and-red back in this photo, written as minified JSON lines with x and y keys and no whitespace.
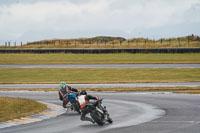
{"x":83,"y":101}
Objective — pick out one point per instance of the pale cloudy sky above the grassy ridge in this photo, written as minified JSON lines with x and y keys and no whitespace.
{"x":33,"y":20}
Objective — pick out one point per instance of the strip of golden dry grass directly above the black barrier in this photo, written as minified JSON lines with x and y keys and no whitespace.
{"x":124,"y":45}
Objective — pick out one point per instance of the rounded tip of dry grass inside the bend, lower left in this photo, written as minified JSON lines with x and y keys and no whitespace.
{"x":15,"y":108}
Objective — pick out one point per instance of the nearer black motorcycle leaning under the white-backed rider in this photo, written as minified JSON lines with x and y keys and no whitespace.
{"x":99,"y":113}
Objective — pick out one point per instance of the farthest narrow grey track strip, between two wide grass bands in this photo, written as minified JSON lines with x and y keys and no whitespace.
{"x":104,"y":66}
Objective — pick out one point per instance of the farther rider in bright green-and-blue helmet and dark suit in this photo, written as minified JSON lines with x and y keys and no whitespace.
{"x":64,"y":89}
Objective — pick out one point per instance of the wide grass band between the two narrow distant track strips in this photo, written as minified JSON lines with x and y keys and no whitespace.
{"x":95,"y":75}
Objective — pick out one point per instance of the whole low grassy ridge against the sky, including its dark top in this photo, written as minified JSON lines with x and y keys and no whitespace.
{"x":190,"y":41}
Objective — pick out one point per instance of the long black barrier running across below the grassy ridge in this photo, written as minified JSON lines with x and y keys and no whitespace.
{"x":102,"y":51}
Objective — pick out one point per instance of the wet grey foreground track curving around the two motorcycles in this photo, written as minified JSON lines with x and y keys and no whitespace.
{"x":131,"y":112}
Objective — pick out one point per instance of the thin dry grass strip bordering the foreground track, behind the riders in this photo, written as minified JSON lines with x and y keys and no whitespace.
{"x":191,"y":90}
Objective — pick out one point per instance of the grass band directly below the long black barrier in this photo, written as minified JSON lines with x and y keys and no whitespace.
{"x":100,"y":58}
